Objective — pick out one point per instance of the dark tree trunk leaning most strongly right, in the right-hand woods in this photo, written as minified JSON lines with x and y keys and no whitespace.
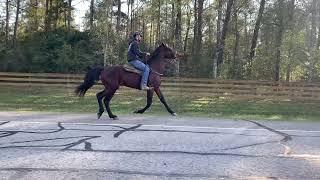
{"x":255,"y":37}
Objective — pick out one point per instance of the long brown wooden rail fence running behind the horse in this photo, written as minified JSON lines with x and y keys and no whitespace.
{"x":246,"y":90}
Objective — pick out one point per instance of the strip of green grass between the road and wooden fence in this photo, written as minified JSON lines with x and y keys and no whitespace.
{"x":63,"y":100}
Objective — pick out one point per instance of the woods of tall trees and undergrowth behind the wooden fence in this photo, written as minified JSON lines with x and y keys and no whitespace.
{"x":225,"y":39}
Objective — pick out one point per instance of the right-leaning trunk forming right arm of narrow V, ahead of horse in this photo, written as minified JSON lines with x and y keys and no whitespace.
{"x":224,"y":32}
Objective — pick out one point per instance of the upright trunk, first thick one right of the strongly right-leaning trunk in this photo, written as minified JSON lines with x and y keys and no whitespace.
{"x":279,"y":37}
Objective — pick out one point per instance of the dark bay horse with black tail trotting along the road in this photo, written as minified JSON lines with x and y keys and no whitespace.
{"x":112,"y":77}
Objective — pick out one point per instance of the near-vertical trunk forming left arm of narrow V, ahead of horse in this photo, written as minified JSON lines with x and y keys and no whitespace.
{"x":218,"y":36}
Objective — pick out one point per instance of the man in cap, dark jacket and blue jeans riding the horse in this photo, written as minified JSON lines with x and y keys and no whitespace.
{"x":134,"y":55}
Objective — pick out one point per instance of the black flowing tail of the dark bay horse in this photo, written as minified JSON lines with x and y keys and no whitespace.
{"x":89,"y":80}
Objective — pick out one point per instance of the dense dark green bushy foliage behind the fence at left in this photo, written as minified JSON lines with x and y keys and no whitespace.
{"x":54,"y":51}
